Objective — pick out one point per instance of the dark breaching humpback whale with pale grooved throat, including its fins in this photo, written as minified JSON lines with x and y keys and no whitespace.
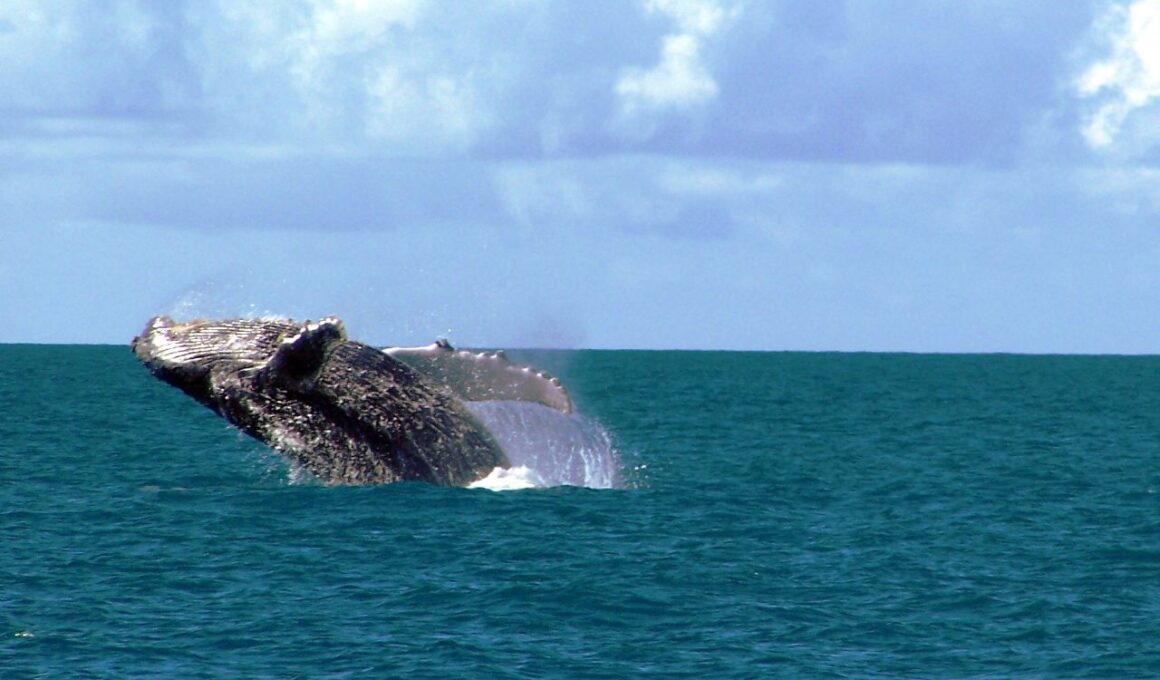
{"x":347,"y":413}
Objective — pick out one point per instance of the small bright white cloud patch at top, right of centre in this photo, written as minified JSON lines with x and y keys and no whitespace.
{"x":680,"y":79}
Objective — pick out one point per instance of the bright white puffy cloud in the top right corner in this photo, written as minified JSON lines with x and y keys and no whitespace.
{"x":1127,"y":83}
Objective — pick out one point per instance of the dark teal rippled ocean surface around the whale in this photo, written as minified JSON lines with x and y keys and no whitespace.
{"x":746,"y":516}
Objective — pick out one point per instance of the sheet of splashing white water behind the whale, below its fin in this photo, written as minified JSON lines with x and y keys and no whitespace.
{"x":548,"y":448}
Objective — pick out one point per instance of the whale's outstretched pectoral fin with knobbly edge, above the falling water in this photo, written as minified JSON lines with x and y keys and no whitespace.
{"x":482,"y":377}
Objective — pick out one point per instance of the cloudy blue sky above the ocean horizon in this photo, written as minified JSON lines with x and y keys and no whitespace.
{"x":912,"y":176}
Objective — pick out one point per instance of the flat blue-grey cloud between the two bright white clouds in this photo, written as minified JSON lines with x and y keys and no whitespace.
{"x":850,"y":82}
